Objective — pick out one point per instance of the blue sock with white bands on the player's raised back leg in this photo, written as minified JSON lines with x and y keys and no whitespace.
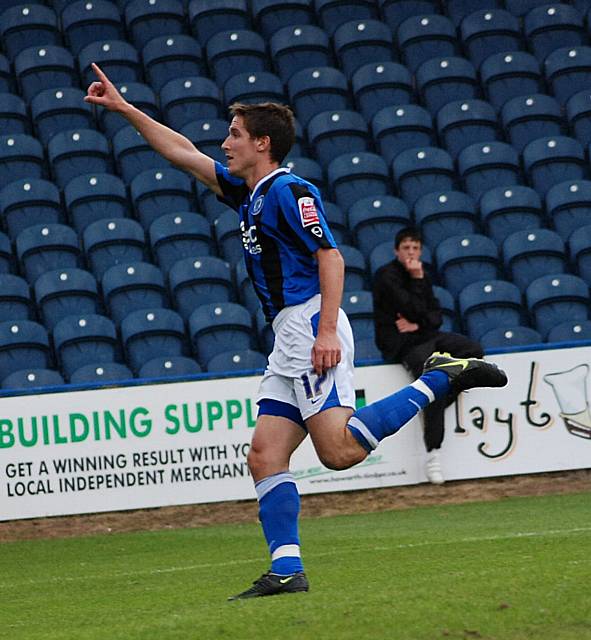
{"x":380,"y":419}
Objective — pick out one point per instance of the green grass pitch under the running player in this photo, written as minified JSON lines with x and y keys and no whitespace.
{"x":515,"y":569}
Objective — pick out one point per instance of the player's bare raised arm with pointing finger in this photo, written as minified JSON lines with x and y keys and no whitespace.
{"x":177,"y":149}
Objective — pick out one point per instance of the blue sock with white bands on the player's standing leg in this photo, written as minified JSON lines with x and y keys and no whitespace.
{"x":279,"y":508}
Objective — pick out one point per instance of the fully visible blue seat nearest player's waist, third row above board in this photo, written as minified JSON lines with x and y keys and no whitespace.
{"x":199,"y":280}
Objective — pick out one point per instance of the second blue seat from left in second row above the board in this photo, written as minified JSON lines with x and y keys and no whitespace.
{"x":79,"y":339}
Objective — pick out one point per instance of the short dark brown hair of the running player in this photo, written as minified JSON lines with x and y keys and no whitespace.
{"x":268,"y":119}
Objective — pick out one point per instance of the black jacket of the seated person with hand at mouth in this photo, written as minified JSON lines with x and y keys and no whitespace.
{"x":395,"y":292}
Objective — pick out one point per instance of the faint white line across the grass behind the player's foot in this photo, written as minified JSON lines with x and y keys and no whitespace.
{"x":321,"y":554}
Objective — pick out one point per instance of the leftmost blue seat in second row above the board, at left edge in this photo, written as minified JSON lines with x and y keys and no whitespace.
{"x":23,"y":345}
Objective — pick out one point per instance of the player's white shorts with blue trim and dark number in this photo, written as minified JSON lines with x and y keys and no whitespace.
{"x":290,"y":378}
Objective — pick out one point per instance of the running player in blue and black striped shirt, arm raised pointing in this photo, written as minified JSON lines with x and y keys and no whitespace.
{"x":298,"y":274}
